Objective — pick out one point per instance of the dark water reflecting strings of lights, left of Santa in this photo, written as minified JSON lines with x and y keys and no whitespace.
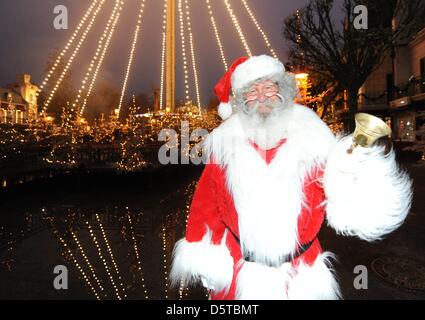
{"x":112,"y":252}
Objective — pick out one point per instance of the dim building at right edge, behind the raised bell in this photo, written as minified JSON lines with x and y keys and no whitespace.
{"x":396,"y":90}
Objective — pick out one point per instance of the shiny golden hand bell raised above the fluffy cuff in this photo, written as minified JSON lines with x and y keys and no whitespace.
{"x":368,"y":129}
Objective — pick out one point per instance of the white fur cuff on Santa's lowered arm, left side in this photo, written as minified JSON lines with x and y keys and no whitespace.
{"x":193,"y":261}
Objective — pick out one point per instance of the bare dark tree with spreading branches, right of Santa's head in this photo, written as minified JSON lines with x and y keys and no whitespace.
{"x":343,"y":55}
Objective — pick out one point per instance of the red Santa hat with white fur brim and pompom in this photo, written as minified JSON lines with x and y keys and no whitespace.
{"x":243,"y":72}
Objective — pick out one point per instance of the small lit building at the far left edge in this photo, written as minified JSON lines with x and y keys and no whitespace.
{"x":18,"y":102}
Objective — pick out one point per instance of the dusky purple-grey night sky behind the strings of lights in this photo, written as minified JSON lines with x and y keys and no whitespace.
{"x":28,"y":36}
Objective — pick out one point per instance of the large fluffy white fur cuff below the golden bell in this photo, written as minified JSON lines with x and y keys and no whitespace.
{"x":367,"y":194}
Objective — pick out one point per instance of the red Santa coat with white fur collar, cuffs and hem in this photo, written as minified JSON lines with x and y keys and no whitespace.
{"x":265,"y":205}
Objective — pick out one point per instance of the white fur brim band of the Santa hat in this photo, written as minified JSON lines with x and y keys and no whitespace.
{"x":255,"y":68}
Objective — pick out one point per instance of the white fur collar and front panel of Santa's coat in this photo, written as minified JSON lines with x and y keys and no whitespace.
{"x":269,"y":198}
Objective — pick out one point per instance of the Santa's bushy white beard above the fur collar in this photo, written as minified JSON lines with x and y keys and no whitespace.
{"x":267,"y":131}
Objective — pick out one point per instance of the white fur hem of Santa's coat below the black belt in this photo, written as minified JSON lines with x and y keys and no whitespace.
{"x":259,"y":282}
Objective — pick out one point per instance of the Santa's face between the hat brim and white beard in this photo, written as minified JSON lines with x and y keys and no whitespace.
{"x":262,"y":97}
